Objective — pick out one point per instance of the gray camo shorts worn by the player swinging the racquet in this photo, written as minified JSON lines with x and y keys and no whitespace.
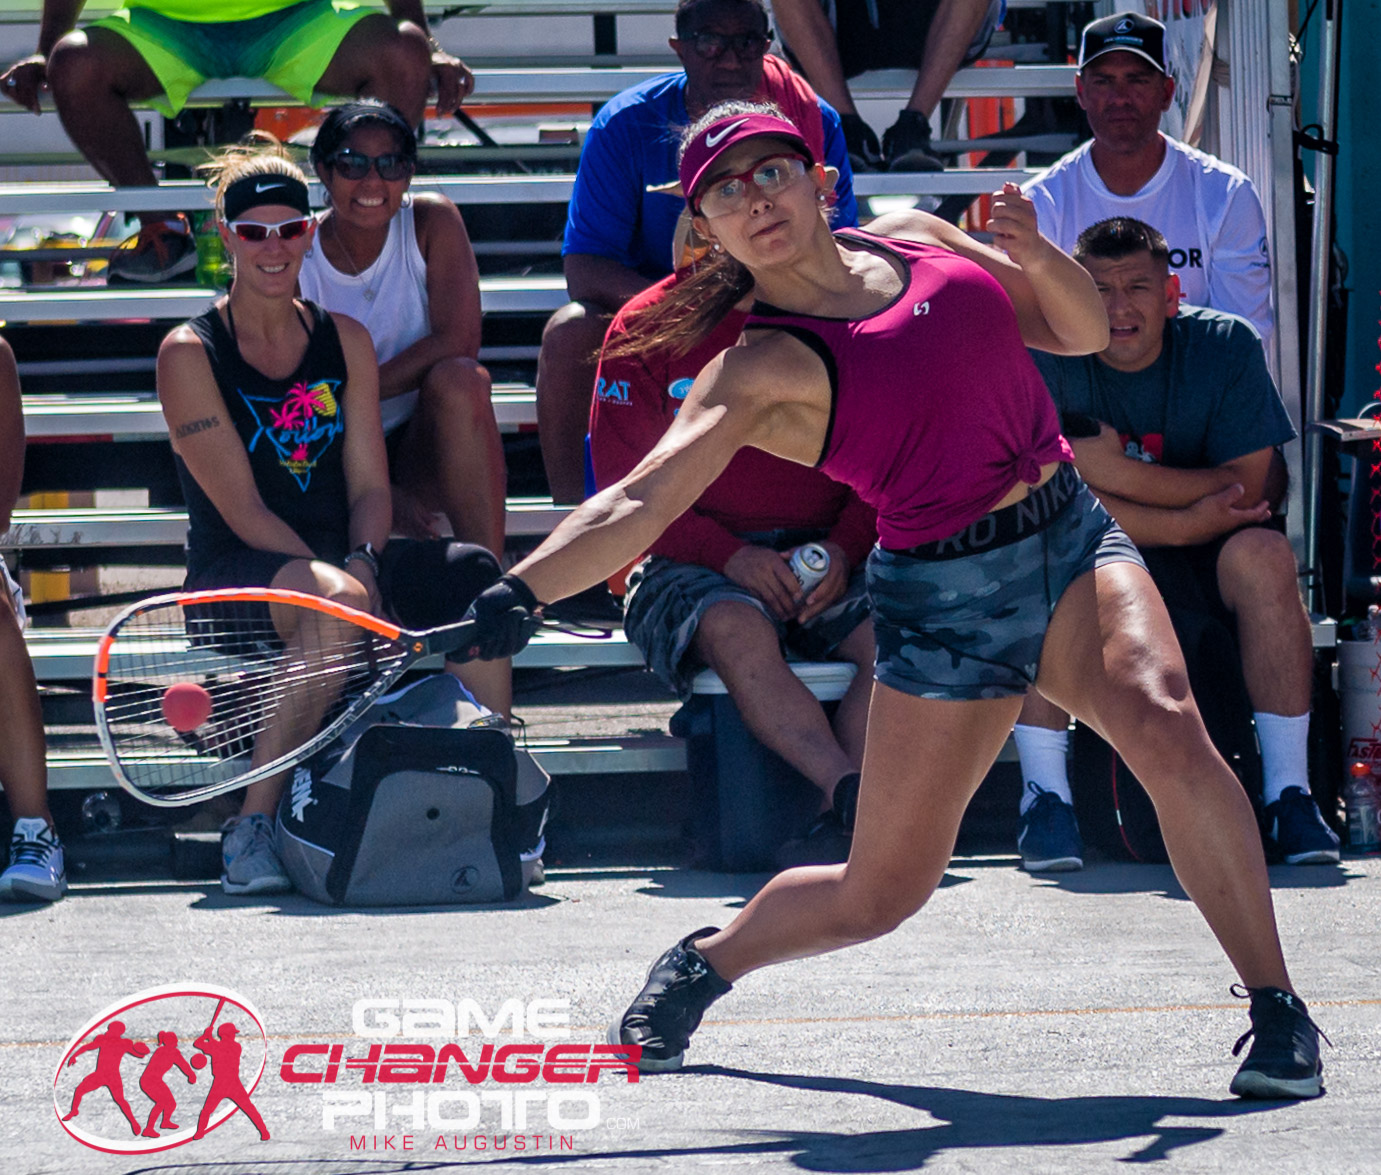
{"x":973,"y":628}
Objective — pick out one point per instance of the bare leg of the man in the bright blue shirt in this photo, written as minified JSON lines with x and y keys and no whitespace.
{"x":566,"y":389}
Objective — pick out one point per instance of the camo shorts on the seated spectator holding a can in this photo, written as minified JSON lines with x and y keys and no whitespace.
{"x":668,"y":600}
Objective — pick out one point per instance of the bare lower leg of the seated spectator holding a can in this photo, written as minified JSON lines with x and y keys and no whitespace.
{"x":741,"y":645}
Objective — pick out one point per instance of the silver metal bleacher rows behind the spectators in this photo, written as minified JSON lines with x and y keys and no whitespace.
{"x":81,"y":405}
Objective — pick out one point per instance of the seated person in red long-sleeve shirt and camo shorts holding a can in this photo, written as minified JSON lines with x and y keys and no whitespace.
{"x":716,"y":589}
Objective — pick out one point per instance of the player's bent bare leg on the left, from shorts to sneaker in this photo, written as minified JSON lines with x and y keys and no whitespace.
{"x":925,"y":761}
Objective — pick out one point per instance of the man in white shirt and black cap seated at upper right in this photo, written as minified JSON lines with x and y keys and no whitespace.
{"x":1208,"y":211}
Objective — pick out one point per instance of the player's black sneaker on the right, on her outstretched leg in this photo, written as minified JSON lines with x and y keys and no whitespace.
{"x":1284,"y":1061}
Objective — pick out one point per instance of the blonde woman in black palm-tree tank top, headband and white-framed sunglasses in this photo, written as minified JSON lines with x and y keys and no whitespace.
{"x":273,"y":408}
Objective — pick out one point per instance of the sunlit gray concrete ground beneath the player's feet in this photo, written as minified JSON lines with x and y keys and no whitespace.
{"x":1020,"y":1024}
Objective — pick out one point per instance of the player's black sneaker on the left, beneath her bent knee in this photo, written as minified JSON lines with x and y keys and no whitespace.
{"x":680,"y":987}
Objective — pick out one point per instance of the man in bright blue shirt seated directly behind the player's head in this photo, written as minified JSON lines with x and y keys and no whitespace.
{"x":619,"y":235}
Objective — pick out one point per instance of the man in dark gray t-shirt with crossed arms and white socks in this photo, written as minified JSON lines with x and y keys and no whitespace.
{"x":1176,"y":426}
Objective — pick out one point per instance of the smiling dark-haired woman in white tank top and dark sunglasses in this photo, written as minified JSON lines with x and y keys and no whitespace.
{"x":401,"y":264}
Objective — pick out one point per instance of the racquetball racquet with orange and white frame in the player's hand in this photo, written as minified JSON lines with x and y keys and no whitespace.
{"x":200,"y":694}
